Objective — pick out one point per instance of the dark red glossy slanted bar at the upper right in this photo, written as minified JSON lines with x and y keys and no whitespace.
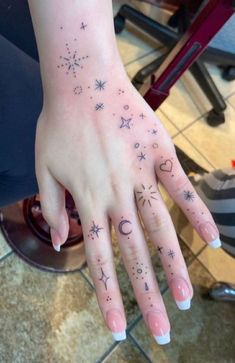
{"x":207,"y":23}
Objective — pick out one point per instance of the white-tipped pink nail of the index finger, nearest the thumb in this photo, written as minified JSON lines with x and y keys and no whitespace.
{"x":116,"y":324}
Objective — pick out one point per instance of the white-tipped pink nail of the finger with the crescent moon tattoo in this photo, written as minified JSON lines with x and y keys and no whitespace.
{"x":159,"y":327}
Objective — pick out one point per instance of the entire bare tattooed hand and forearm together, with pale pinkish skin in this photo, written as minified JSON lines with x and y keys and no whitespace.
{"x":97,"y":138}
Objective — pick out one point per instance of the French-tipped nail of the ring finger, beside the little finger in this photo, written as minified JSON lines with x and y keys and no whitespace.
{"x":181,"y":293}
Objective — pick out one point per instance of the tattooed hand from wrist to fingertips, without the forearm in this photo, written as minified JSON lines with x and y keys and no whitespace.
{"x":109,"y":150}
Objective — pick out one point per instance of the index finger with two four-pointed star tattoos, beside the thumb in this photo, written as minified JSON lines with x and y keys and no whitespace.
{"x":100,"y":261}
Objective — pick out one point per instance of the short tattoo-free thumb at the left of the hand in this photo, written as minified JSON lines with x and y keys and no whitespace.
{"x":52,"y":200}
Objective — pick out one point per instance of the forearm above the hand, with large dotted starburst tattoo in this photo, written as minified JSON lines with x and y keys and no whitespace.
{"x":76,"y":41}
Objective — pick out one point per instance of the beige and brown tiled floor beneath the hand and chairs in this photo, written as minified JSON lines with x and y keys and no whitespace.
{"x":47,"y":317}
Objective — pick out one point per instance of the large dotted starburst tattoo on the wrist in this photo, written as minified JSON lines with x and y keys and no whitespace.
{"x":71,"y":62}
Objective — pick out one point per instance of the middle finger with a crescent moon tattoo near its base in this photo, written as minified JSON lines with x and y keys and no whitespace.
{"x":139,"y":268}
